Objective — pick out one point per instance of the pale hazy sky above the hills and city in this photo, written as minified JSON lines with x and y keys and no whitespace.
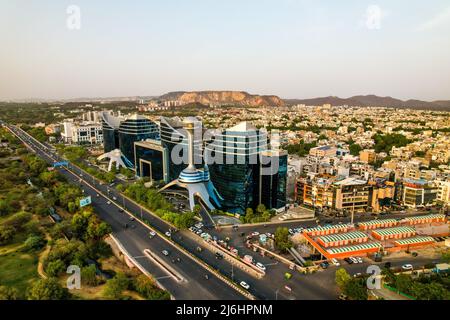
{"x":291,"y":48}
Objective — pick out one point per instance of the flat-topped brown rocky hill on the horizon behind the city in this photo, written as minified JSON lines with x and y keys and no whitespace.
{"x":224,"y":98}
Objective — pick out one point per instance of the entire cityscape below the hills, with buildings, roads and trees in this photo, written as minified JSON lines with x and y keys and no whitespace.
{"x":99,"y":186}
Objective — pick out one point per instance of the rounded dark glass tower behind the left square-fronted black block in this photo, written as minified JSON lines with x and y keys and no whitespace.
{"x":133,"y":129}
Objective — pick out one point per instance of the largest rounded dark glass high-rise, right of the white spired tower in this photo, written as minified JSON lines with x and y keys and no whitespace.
{"x":243,"y":169}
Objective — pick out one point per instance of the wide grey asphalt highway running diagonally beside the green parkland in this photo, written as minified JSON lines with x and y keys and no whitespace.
{"x":135,"y":239}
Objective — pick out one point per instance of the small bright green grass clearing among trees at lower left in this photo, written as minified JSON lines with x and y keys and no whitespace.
{"x":18,"y":270}
